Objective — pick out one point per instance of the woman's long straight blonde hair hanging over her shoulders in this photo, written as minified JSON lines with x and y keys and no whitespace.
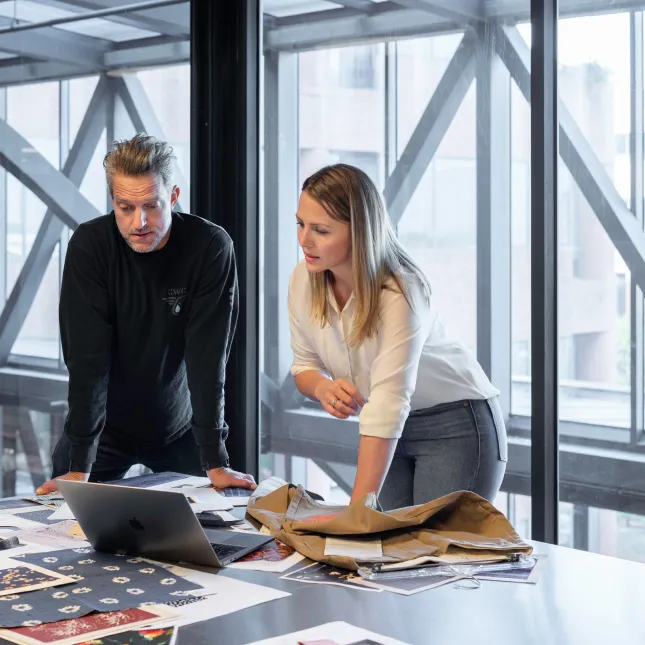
{"x":378,"y":259}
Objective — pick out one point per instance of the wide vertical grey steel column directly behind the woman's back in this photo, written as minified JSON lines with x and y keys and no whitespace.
{"x":494,"y":215}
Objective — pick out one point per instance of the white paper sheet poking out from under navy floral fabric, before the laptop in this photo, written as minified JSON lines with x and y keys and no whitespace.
{"x":226,"y":595}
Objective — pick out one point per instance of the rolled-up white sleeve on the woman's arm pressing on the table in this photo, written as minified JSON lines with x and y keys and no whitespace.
{"x":402,"y":332}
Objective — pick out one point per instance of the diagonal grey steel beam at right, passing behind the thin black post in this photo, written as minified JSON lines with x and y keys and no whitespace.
{"x":591,"y":177}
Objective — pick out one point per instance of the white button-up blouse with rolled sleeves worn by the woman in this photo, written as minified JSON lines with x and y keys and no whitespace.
{"x":409,"y":364}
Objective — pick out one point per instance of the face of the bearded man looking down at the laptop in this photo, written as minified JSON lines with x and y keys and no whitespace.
{"x":143,"y":209}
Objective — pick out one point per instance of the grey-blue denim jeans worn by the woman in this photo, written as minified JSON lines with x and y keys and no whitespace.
{"x":446,"y":448}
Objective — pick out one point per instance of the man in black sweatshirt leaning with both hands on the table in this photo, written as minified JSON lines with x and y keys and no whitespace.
{"x":148,"y":309}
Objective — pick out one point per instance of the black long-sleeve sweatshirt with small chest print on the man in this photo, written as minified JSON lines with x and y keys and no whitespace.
{"x":146,"y":337}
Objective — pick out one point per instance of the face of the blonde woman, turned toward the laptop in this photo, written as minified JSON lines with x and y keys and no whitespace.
{"x":325,"y":241}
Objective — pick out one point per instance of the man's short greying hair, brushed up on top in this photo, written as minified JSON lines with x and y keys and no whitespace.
{"x":141,"y":155}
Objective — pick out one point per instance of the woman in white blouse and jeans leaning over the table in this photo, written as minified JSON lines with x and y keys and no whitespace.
{"x":367,"y":342}
